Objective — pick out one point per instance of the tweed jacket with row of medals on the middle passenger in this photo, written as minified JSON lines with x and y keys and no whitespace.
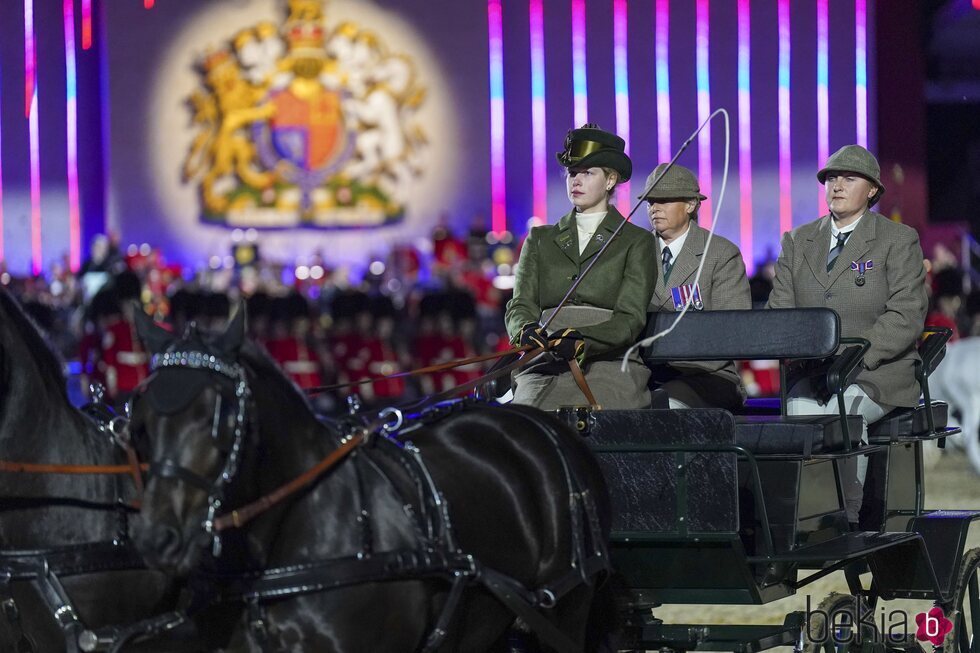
{"x":722,"y":286}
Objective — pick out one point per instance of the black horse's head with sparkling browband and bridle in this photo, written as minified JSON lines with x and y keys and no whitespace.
{"x":189,"y":424}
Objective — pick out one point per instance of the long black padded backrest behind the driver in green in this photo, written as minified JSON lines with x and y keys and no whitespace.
{"x":752,"y":334}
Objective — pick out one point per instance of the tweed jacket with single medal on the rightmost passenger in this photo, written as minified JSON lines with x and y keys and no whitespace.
{"x":889,"y":309}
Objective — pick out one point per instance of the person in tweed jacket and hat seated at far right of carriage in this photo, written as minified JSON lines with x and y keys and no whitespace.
{"x":870,"y":271}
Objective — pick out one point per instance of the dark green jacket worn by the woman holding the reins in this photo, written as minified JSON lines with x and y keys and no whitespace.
{"x":621,"y":281}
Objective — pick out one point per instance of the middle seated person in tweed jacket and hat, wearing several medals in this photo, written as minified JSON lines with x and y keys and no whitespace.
{"x":672,"y":207}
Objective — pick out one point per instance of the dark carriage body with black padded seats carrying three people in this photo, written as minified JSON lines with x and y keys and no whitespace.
{"x":712,"y":507}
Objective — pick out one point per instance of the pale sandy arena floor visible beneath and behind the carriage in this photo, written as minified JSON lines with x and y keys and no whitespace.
{"x":950,"y":484}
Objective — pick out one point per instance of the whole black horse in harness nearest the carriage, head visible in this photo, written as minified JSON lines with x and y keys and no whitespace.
{"x":428,"y":538}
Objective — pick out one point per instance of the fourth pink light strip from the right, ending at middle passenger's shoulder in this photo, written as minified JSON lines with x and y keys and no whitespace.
{"x":745,"y":137}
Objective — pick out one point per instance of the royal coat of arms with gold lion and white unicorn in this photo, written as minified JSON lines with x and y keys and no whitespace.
{"x":304,"y":124}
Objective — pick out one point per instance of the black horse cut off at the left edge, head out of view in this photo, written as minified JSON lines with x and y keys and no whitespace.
{"x":74,"y":524}
